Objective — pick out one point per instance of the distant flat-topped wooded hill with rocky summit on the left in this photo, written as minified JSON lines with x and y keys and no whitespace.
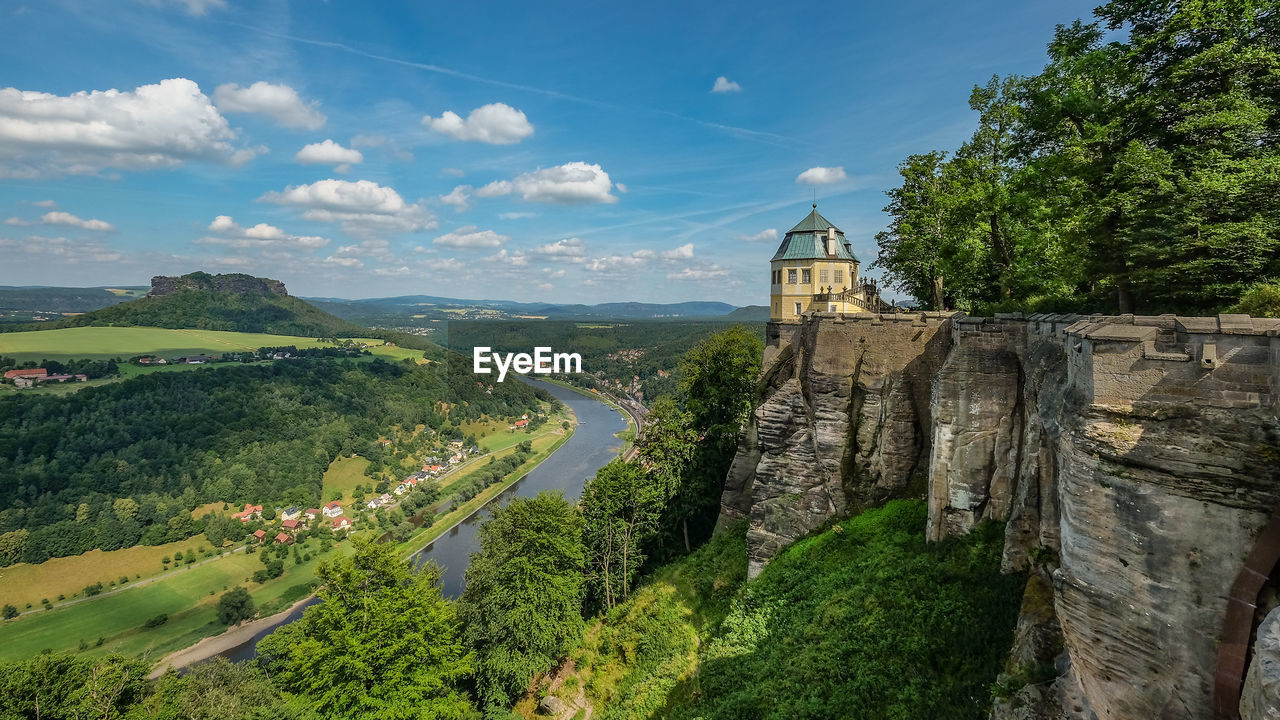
{"x":236,"y":303}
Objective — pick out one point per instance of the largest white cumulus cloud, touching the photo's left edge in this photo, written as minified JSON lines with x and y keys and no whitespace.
{"x":154,"y":126}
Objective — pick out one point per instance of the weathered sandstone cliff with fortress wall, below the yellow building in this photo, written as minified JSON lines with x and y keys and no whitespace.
{"x":1133,"y":461}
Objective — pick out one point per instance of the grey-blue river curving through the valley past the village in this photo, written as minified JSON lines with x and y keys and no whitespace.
{"x":568,"y":470}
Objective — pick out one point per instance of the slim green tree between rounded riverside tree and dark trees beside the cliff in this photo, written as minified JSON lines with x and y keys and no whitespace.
{"x":621,"y":507}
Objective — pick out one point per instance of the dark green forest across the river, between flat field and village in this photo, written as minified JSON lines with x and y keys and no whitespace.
{"x":116,"y":466}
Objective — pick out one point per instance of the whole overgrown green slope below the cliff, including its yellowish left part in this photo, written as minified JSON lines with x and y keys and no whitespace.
{"x":863,"y":621}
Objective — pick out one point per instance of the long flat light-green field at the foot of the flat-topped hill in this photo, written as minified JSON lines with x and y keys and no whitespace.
{"x":126,"y":343}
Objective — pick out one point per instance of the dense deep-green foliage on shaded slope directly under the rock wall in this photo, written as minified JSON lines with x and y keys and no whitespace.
{"x":866,"y":621}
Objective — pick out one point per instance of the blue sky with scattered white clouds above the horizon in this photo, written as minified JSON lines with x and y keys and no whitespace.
{"x":534,"y":152}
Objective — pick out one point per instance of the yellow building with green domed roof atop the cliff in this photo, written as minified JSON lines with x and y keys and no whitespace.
{"x":815,"y":271}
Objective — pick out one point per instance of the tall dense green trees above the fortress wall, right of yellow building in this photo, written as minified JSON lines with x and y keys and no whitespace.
{"x":1137,"y":175}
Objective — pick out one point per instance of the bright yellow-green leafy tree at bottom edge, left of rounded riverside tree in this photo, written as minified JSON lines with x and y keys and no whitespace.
{"x":383,"y":644}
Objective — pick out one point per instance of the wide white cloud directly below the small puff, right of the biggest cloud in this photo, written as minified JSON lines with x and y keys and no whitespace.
{"x":363,"y":208}
